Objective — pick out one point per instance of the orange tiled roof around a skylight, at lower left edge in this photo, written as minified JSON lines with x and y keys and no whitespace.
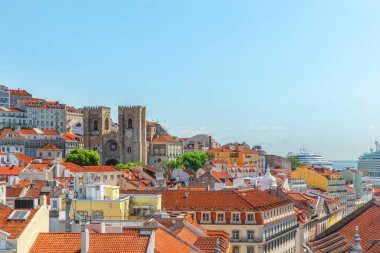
{"x":14,"y":227}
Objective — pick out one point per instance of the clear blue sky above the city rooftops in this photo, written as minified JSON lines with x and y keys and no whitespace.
{"x":284,"y":74}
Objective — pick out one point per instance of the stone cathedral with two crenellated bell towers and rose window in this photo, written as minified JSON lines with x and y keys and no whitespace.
{"x":126,"y":143}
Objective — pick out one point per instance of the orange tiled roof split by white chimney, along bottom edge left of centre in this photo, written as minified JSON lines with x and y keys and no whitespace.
{"x":58,"y":242}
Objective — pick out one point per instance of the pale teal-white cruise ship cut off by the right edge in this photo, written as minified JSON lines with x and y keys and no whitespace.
{"x":370,"y":163}
